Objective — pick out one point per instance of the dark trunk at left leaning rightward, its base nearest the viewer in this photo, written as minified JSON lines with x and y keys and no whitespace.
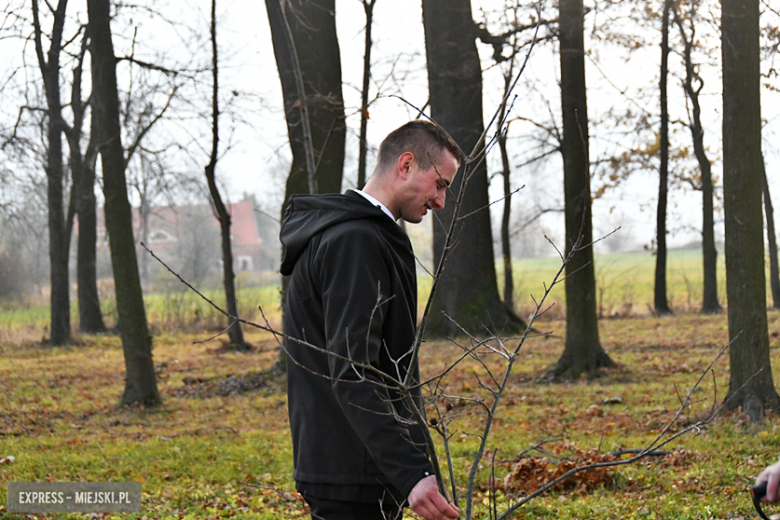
{"x":140,"y":380}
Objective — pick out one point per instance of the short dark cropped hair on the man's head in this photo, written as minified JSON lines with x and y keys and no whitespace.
{"x":424,"y":139}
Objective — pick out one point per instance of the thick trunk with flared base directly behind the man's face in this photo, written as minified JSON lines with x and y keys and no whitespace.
{"x":468,"y":292}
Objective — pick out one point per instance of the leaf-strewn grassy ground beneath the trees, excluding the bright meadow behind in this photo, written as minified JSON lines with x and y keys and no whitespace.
{"x":219,"y":445}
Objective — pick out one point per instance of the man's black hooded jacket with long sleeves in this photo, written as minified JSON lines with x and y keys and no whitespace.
{"x":353,"y":291}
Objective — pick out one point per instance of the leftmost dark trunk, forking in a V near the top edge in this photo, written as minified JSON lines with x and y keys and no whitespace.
{"x":49,"y":65}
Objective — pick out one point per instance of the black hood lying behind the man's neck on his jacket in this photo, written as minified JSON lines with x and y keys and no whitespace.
{"x":308,"y":215}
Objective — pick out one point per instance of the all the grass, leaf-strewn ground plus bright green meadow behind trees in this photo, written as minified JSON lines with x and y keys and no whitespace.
{"x":219,"y":457}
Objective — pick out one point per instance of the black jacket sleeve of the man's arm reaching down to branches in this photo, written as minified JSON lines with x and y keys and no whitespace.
{"x":356,"y":282}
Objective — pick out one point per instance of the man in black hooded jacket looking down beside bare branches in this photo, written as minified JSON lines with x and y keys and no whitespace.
{"x":353,"y":292}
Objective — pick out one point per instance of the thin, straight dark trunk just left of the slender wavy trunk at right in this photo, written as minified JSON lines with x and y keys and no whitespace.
{"x":661,"y":303}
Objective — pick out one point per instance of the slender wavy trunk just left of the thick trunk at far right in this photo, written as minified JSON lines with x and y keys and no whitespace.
{"x":710,"y":303}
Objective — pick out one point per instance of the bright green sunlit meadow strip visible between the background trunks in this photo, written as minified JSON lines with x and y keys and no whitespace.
{"x":624,"y":281}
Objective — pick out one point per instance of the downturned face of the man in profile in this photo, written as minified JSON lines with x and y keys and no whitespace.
{"x":427,"y":189}
